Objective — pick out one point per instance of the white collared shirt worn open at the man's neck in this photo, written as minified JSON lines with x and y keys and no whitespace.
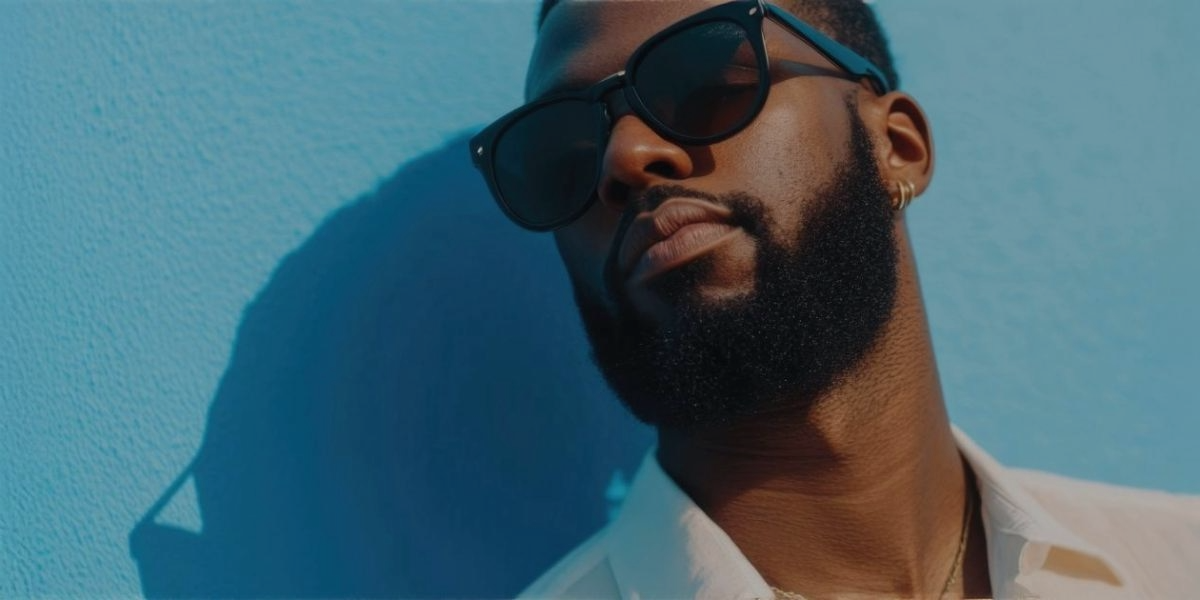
{"x":1048,"y":537}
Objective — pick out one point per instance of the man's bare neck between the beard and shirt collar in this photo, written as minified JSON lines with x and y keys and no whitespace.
{"x":862,"y":493}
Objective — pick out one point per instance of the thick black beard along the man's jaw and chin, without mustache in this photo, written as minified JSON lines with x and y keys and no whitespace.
{"x":818,"y":307}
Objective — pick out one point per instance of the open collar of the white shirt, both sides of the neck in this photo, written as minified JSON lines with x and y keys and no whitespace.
{"x":665,"y":547}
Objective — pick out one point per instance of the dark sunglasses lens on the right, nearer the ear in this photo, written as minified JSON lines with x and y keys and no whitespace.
{"x":703,"y":82}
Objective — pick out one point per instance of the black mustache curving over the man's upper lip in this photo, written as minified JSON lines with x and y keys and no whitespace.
{"x":748,"y":213}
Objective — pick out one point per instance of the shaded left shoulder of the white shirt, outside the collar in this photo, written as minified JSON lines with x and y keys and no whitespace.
{"x":584,"y":573}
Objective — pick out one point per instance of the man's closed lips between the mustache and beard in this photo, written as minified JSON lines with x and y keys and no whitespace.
{"x":677,"y":232}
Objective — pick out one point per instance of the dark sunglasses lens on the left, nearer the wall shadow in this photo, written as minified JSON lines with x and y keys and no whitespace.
{"x":547,"y":163}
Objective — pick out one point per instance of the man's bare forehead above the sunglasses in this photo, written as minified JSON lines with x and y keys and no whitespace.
{"x":584,"y":41}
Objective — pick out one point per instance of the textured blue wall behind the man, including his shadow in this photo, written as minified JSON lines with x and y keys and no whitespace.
{"x":265,"y":332}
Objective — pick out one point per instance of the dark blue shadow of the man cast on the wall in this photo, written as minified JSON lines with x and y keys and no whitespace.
{"x":410,"y":411}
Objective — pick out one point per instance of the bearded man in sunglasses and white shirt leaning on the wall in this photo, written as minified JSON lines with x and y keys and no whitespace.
{"x":727,"y":185}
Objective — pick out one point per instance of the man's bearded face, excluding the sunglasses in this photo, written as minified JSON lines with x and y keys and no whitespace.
{"x":778,"y":291}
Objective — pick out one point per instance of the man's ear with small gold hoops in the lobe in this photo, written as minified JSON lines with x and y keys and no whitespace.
{"x":903,"y":140}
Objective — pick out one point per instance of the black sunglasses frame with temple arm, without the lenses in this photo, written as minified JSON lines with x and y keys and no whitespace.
{"x":748,"y":15}
